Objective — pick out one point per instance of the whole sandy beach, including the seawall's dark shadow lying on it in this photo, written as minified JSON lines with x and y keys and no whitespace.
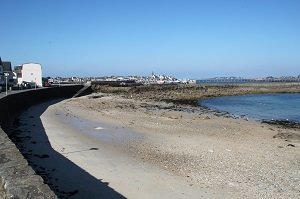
{"x":110,"y":146}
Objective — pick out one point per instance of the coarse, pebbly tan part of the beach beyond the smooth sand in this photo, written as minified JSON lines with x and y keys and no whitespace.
{"x":219,"y":153}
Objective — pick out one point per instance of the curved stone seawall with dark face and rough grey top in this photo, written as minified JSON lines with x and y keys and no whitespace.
{"x":17,"y":178}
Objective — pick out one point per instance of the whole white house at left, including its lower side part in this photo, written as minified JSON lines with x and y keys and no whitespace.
{"x":30,"y":72}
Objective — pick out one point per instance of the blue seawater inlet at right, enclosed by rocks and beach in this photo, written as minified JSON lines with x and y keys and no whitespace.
{"x":258,"y":107}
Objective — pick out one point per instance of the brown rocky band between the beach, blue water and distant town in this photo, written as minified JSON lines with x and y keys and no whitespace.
{"x":191,"y":94}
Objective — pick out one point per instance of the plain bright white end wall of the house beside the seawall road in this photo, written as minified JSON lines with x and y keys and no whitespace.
{"x":32,"y":73}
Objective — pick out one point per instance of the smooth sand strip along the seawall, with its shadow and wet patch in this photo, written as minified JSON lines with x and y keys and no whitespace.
{"x":83,"y":158}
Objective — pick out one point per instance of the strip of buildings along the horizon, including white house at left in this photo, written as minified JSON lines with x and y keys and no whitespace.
{"x":29,"y":75}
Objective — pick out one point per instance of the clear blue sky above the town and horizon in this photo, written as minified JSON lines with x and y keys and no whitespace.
{"x":183,"y":38}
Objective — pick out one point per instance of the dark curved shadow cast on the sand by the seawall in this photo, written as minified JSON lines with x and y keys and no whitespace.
{"x":64,"y":177}
